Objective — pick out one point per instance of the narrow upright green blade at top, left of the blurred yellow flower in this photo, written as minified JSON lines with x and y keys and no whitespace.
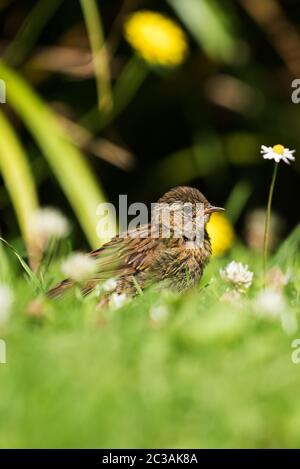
{"x":93,"y":22}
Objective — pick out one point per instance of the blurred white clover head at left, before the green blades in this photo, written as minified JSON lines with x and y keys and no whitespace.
{"x":48,"y":223}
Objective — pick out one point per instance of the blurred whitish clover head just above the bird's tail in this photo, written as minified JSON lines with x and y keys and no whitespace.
{"x":79,"y":267}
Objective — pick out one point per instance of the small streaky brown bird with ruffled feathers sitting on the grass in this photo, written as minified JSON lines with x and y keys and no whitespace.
{"x":172,"y":250}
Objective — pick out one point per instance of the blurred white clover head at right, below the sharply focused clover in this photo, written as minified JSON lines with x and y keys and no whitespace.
{"x":270,"y":303}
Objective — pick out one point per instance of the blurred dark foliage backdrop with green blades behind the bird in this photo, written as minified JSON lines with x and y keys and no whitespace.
{"x":201,"y":124}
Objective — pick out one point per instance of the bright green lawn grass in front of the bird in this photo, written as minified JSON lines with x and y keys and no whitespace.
{"x":210,"y":375}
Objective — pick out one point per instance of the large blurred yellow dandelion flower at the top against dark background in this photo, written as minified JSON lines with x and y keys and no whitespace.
{"x":156,"y":38}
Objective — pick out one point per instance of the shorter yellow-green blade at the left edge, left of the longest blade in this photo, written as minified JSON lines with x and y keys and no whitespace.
{"x":17,"y":177}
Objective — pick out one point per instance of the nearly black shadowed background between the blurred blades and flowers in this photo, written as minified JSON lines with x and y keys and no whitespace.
{"x":177,"y":110}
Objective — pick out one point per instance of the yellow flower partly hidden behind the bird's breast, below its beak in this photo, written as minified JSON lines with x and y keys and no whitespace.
{"x":221,"y":233}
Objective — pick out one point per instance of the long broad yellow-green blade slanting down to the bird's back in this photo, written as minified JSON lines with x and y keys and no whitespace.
{"x":67,"y":162}
